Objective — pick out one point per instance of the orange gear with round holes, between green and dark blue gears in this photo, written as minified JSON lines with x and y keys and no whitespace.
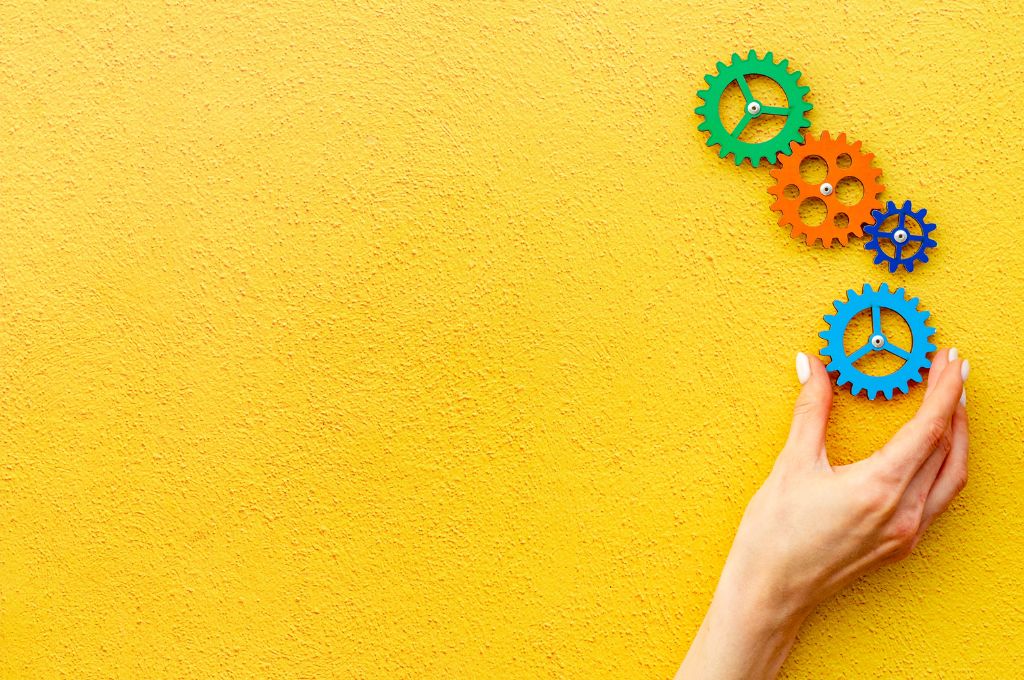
{"x":833,"y":229}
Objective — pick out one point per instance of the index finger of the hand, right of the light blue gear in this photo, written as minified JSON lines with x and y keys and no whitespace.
{"x":912,"y":446}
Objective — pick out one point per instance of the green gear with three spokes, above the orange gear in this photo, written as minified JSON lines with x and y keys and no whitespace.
{"x":795,"y":111}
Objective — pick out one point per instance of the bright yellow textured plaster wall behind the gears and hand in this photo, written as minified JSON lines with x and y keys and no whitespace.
{"x":429,"y":341}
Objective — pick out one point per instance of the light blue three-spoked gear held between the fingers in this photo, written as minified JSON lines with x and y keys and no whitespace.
{"x":915,"y":361}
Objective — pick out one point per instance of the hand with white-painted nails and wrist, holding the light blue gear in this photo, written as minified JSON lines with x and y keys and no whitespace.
{"x":813,"y":529}
